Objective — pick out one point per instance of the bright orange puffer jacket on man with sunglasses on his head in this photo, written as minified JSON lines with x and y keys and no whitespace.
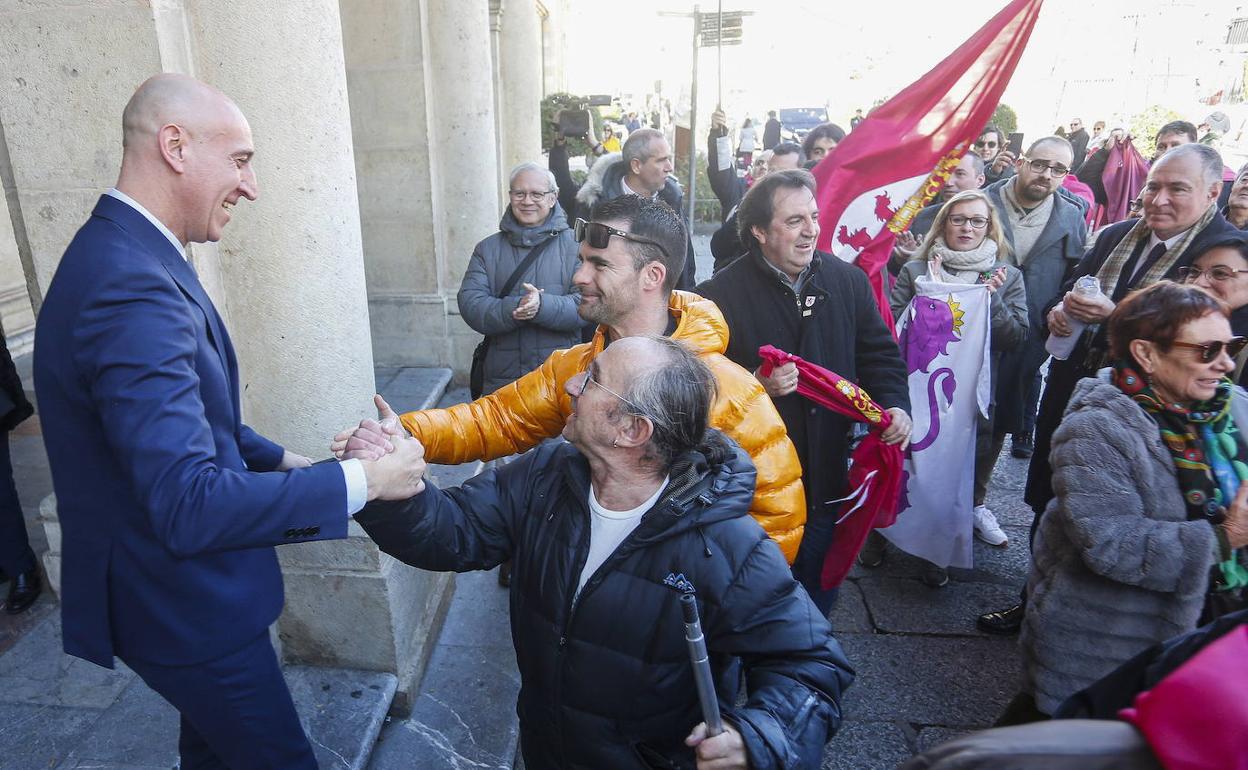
{"x":536,"y":407}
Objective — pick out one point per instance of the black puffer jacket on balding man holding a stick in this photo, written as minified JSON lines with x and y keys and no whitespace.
{"x":608,"y":683}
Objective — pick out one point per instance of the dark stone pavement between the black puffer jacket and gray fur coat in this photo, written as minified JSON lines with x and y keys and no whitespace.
{"x":925,"y":673}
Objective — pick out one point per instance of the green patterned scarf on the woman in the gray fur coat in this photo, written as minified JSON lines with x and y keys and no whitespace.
{"x":1211,"y":460}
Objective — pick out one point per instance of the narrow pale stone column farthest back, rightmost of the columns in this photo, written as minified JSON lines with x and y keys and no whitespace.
{"x":520,"y":84}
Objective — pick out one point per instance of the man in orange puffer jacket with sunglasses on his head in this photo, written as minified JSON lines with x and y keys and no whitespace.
{"x":631,"y":256}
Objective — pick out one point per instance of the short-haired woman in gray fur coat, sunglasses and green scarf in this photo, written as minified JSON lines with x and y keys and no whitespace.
{"x":1148,"y":535}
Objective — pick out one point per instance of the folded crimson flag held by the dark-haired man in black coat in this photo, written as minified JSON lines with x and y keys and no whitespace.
{"x":875,"y":467}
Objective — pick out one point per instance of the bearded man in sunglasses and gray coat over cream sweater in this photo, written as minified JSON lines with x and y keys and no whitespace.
{"x":1046,"y":234}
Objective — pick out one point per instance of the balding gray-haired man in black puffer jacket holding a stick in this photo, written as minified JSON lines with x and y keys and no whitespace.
{"x":608,"y":531}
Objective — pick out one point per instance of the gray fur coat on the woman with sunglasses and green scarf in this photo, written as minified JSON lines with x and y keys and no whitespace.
{"x":1116,"y":566}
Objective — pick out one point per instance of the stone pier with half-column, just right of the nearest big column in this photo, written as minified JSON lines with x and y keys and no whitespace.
{"x":422,"y":108}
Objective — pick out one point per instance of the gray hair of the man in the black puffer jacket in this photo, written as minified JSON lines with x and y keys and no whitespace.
{"x":676,"y":396}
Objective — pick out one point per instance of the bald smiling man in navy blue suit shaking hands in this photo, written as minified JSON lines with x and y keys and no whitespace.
{"x":170,"y":506}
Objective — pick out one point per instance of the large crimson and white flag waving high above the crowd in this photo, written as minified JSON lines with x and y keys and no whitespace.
{"x":899,"y":158}
